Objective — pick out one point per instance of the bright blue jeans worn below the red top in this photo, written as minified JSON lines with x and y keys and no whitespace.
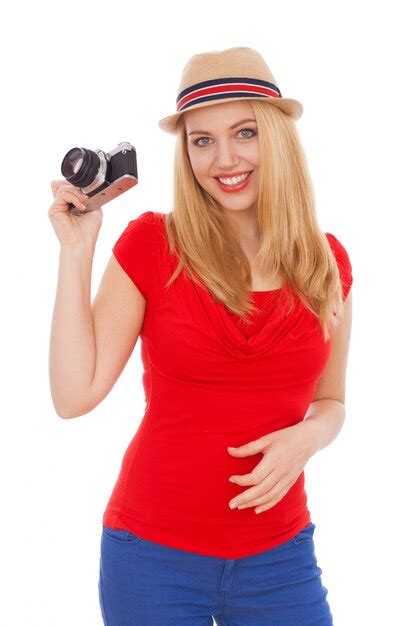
{"x":143,"y":583}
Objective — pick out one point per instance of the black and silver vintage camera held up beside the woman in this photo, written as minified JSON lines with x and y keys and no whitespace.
{"x":100,"y":175}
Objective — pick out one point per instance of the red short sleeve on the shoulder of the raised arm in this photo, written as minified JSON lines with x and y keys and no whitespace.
{"x":136,"y":251}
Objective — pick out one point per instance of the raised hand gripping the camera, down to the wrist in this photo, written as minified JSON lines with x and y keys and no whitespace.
{"x":70,"y":229}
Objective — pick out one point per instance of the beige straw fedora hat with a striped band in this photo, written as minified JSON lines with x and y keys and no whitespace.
{"x":237,"y":73}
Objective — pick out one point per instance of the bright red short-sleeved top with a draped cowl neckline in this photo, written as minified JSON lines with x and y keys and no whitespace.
{"x":211,"y":383}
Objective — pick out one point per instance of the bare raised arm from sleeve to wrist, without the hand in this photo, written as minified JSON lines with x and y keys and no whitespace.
{"x":90,"y":344}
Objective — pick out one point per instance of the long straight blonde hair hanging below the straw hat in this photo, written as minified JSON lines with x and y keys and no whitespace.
{"x":291,"y":241}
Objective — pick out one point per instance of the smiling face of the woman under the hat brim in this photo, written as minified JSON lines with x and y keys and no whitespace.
{"x":222,"y":140}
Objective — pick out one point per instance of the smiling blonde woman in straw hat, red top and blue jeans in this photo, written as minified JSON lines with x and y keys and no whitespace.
{"x":243,"y":307}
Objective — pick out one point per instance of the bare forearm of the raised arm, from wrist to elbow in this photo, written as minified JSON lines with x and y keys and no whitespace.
{"x":72,"y":341}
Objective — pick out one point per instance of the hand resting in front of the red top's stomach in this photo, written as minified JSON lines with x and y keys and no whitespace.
{"x":286,"y":452}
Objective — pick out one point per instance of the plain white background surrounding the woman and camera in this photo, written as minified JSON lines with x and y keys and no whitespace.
{"x":97,"y":73}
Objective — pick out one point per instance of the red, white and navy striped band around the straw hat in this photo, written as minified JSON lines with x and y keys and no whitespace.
{"x":230,"y":87}
